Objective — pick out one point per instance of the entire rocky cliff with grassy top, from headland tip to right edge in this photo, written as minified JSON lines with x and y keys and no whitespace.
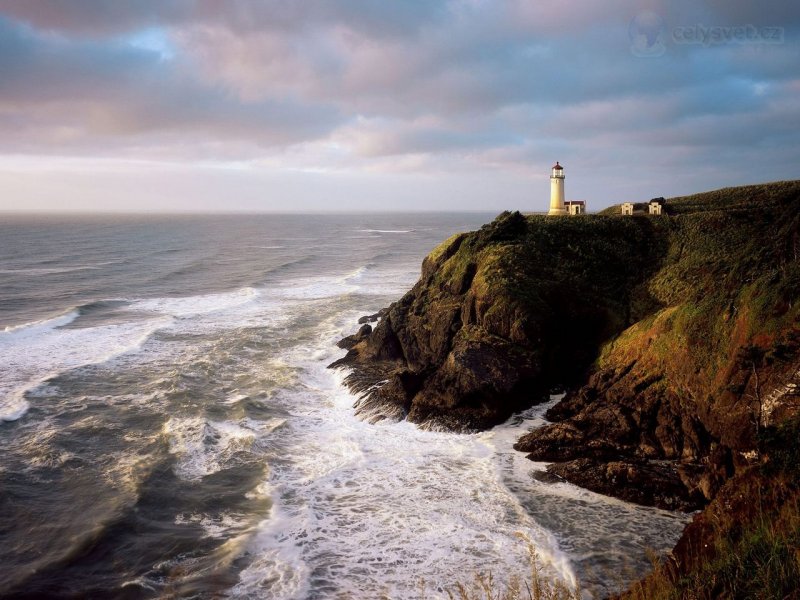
{"x":676,"y":338}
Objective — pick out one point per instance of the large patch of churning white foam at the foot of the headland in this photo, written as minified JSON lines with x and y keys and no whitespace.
{"x":366,"y":510}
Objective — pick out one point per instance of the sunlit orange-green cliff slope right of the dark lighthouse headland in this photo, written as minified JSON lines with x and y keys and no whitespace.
{"x":694,"y":381}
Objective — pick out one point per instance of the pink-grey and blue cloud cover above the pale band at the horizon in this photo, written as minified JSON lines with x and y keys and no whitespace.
{"x":426,"y":86}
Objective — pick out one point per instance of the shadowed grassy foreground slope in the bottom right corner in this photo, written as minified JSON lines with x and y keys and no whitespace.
{"x":745,"y":543}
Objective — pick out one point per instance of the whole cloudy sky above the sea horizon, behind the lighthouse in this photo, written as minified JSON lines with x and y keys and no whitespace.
{"x":399,"y":105}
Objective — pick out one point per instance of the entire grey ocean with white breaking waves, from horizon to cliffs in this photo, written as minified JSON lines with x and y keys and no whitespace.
{"x":169,"y":429}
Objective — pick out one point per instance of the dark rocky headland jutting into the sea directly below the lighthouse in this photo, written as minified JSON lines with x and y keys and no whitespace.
{"x":503,"y":315}
